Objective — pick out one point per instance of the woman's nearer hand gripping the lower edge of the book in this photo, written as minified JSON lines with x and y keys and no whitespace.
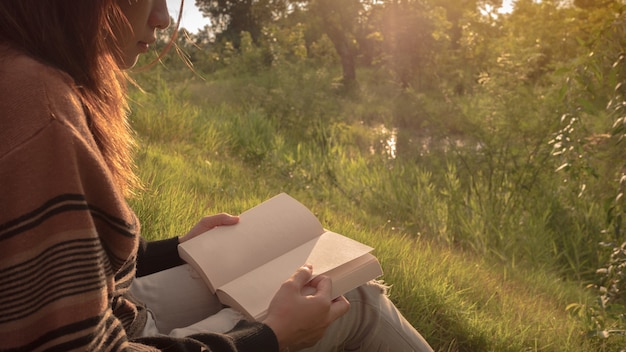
{"x":299,"y":319}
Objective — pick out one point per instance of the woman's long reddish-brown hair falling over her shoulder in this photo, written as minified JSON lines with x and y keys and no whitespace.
{"x":78,"y":37}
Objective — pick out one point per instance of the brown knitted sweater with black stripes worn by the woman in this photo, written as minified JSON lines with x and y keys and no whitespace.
{"x":68,"y":240}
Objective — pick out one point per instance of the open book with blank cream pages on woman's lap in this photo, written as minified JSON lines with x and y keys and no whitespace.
{"x":245,"y":264}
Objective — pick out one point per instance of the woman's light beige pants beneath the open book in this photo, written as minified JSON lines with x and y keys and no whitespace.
{"x":180,"y":305}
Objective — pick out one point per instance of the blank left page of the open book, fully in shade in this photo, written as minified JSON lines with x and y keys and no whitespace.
{"x":263,"y":233}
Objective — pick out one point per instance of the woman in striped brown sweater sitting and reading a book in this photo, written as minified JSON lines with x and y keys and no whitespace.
{"x":70,"y":245}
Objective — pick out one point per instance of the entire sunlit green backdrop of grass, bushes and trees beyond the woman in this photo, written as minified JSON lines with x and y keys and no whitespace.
{"x":480,"y":152}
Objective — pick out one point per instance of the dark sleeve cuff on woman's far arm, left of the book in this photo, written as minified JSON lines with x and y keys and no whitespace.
{"x":155,"y":256}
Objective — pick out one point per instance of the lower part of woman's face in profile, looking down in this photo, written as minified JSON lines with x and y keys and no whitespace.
{"x":144,"y":17}
